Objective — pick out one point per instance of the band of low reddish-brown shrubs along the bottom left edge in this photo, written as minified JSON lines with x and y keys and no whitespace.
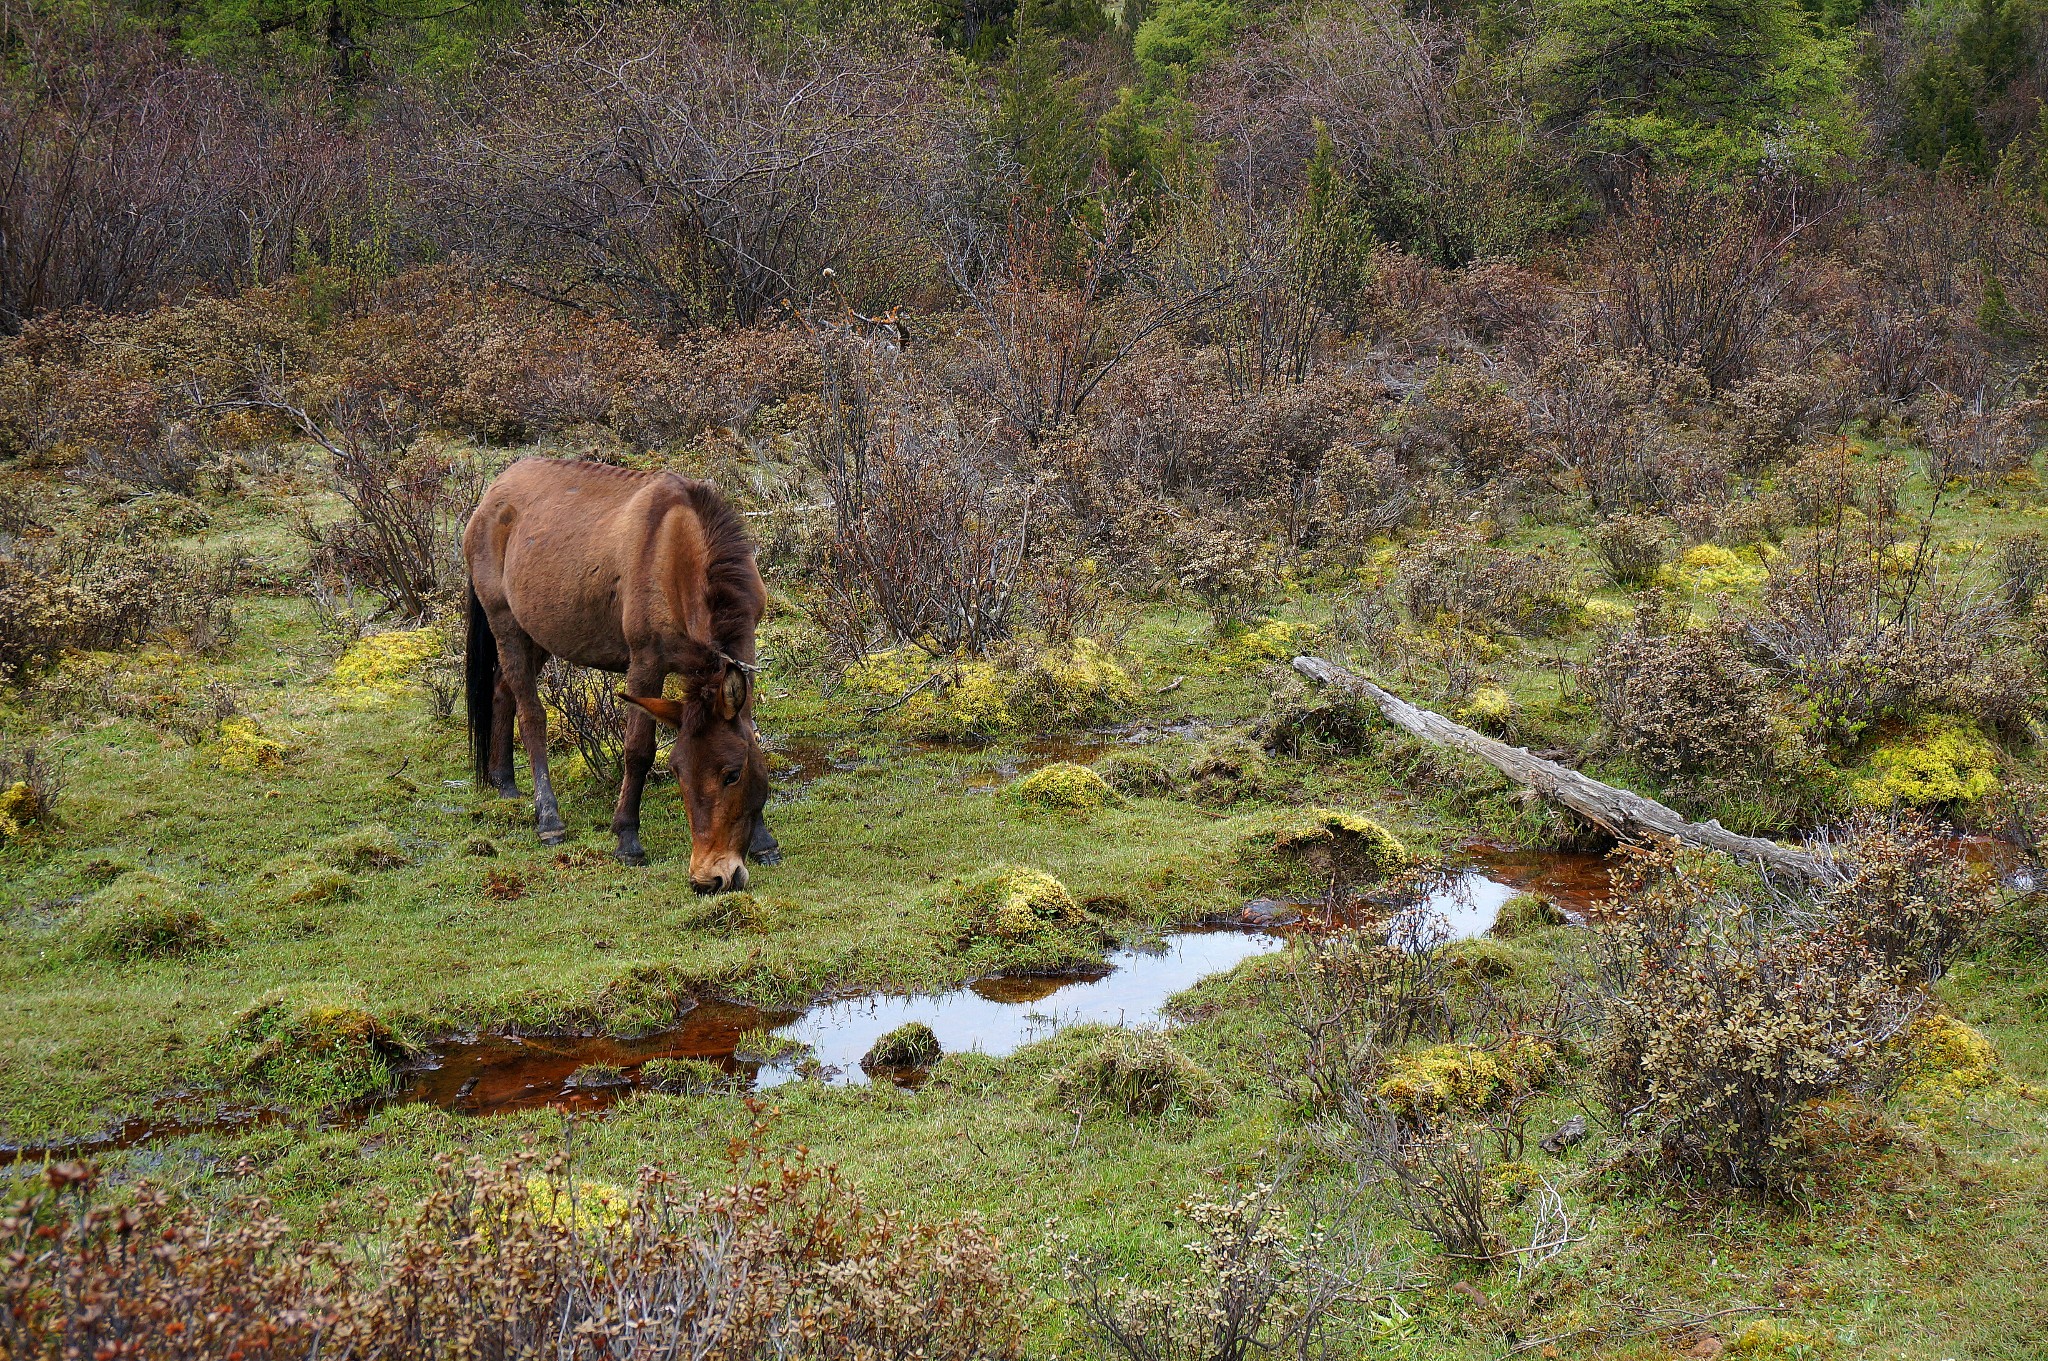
{"x":507,"y":1262}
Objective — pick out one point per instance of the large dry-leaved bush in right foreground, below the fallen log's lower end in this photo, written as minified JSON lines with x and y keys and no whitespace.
{"x":1723,"y":1022}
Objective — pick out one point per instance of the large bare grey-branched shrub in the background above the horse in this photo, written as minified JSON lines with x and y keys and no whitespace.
{"x":689,"y":173}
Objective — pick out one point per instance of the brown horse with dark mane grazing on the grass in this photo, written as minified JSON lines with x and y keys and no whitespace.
{"x":644,"y":574}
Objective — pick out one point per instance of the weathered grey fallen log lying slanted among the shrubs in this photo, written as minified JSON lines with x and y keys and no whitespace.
{"x":1621,"y":814}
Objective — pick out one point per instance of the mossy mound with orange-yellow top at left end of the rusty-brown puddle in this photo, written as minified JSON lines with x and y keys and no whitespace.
{"x":316,"y":1049}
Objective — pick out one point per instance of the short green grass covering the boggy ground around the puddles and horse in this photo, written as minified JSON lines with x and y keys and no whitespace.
{"x":1922,"y":1245}
